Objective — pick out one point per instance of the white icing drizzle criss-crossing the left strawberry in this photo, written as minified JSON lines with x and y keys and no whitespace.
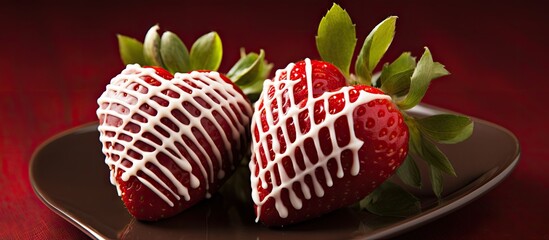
{"x":126,"y":90}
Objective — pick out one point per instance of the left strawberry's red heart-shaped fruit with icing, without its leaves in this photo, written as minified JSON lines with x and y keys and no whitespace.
{"x":171,"y":141}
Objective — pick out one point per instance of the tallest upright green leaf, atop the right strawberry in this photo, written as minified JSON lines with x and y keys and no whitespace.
{"x":336,"y":38}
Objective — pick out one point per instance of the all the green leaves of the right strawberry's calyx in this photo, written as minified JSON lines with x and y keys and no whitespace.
{"x":406,"y":81}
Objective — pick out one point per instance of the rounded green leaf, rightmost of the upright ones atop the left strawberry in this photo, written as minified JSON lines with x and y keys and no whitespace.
{"x":206,"y":52}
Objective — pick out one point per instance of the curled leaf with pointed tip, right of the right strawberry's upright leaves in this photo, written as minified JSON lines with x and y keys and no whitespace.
{"x":425,"y":72}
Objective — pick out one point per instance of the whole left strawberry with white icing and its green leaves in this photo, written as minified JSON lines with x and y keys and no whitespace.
{"x":171,"y":139}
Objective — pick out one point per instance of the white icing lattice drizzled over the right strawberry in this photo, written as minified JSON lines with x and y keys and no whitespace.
{"x":284,"y":88}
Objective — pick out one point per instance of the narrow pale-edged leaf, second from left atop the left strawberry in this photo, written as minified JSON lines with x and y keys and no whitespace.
{"x":174,"y":53}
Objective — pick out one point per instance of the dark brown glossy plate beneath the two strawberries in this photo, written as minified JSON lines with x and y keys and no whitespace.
{"x":69,"y":175}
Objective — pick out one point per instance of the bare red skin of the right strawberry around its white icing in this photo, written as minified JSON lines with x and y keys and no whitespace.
{"x":378,"y":123}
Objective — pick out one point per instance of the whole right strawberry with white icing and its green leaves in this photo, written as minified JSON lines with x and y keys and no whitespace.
{"x":323,"y":138}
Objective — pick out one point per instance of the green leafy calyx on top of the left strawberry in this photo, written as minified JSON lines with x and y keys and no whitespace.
{"x":169,"y":52}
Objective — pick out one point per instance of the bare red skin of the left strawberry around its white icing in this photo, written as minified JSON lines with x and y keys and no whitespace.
{"x":142,"y":202}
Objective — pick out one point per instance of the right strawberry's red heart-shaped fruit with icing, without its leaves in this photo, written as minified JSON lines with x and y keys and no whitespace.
{"x":325,"y":151}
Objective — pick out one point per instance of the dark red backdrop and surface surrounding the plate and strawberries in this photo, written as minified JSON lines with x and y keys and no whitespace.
{"x":56,"y":58}
